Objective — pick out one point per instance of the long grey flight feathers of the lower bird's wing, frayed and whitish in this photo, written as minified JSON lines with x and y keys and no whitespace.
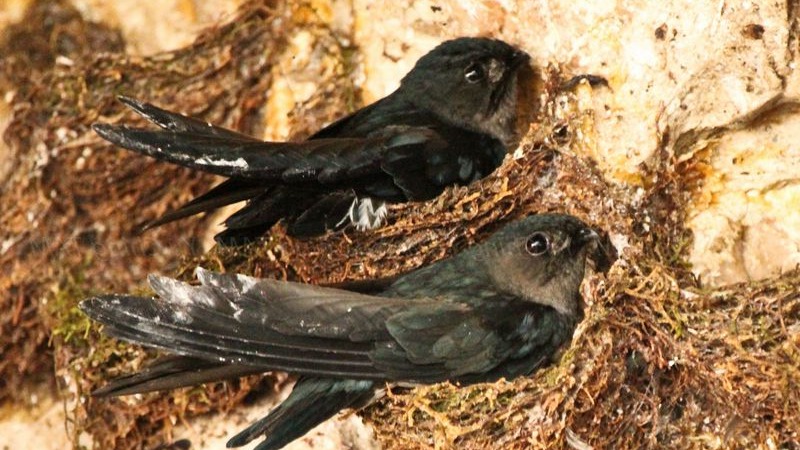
{"x":266,"y":323}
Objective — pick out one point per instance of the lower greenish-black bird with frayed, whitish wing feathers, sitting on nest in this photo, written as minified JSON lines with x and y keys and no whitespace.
{"x":498,"y":309}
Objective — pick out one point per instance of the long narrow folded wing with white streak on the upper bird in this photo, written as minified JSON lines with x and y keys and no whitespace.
{"x":325,"y":161}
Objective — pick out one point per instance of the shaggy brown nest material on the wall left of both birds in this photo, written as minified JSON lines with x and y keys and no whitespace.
{"x":74,"y":204}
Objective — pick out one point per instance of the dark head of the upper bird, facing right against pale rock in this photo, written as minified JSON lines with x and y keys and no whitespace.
{"x":469,"y":82}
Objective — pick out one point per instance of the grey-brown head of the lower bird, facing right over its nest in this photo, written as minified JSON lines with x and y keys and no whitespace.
{"x":541,"y":259}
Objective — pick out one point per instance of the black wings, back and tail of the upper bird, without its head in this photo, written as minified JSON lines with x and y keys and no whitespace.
{"x":389,"y":151}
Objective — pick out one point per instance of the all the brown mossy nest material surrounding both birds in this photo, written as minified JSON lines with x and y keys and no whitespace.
{"x":657,"y":362}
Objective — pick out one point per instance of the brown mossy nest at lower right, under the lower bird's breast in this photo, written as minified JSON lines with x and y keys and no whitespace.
{"x":652,"y":366}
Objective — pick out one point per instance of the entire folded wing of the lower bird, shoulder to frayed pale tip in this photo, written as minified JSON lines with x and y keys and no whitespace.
{"x":313,"y":330}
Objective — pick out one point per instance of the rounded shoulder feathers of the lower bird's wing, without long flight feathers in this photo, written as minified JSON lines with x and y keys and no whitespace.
{"x":496,"y":336}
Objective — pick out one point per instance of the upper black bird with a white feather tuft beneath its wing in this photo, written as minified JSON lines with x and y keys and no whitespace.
{"x":450,"y":122}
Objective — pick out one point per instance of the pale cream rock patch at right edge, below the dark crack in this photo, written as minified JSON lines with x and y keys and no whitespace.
{"x":746,"y":217}
